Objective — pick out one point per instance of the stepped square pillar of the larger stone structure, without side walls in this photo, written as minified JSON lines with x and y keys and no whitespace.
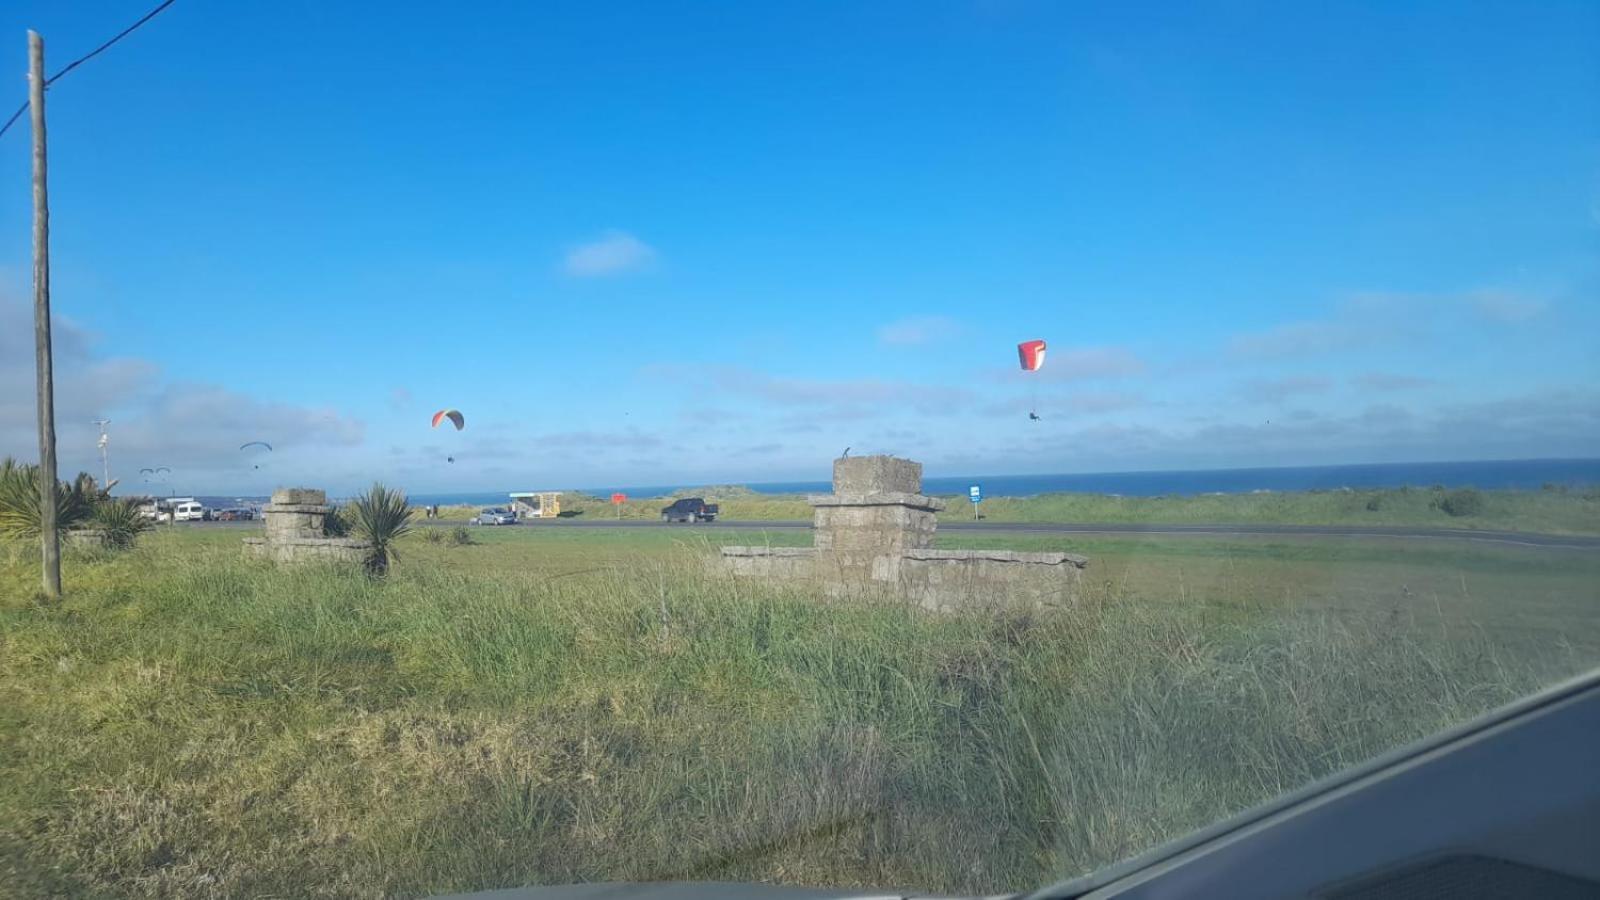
{"x":873,"y":518}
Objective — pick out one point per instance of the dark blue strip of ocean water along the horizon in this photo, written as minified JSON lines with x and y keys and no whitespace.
{"x":1527,"y":475}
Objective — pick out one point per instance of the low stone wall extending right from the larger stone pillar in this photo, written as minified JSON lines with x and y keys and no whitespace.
{"x":962,"y":579}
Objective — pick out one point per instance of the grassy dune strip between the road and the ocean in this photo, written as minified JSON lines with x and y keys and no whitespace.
{"x":1546,"y":512}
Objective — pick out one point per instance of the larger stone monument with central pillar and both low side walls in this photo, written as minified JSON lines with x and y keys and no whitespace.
{"x":874,"y":536}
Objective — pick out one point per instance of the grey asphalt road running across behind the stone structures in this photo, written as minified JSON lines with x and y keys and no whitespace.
{"x":1522,"y":539}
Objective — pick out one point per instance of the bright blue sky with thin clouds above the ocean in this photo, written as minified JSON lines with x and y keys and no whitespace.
{"x":686,"y":243}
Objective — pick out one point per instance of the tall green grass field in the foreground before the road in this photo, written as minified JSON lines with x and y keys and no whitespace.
{"x":558,"y":705}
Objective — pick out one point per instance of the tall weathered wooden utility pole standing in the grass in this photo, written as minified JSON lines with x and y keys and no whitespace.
{"x":49,"y":537}
